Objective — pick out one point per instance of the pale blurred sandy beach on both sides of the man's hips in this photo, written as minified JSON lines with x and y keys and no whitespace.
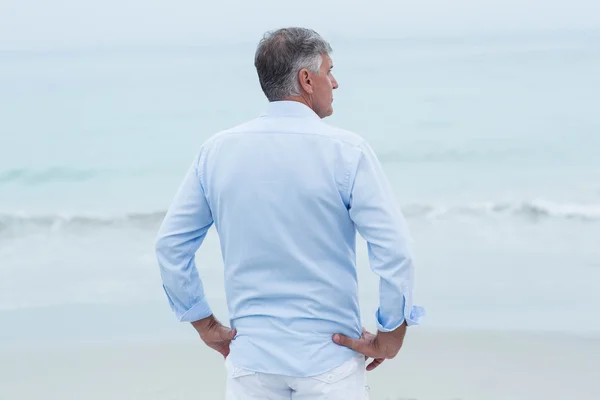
{"x":434,"y":365}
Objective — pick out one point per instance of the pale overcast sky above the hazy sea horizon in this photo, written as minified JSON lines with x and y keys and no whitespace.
{"x":47,"y":24}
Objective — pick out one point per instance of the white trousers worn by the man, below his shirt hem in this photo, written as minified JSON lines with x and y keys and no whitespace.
{"x":346,"y":382}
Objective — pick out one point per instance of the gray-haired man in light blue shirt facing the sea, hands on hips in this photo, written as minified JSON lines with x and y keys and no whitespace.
{"x":287,"y":194}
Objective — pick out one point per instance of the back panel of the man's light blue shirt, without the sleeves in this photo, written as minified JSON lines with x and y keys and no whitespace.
{"x":278,"y":188}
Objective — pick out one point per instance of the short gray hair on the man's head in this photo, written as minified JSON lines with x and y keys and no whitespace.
{"x":281,"y":54}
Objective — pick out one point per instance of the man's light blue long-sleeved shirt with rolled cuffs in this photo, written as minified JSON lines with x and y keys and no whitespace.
{"x":287,"y":194}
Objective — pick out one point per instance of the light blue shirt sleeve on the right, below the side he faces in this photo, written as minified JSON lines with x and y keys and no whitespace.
{"x":380,"y":222}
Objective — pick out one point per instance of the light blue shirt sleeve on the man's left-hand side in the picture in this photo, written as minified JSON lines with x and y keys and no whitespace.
{"x":182,"y":232}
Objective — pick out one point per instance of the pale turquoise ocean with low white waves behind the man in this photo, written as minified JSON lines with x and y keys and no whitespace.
{"x":490,"y":143}
